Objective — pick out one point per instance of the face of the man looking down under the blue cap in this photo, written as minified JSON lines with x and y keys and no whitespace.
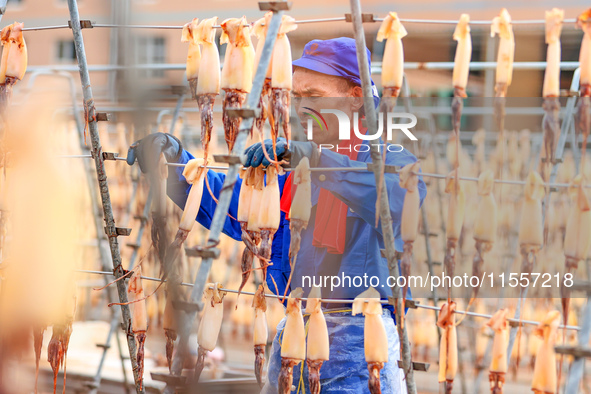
{"x":320,"y":91}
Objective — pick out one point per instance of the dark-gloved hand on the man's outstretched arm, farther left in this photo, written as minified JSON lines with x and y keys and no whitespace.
{"x":147,"y":151}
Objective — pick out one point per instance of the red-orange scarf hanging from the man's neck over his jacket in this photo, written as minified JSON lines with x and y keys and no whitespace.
{"x":330,"y":227}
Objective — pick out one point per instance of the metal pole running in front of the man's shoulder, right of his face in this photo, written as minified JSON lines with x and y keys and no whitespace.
{"x":385,"y":217}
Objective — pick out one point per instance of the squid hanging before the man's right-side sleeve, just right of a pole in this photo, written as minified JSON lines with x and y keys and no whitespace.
{"x":409,"y":226}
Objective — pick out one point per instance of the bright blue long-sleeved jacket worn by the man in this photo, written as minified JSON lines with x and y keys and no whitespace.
{"x":363,"y":241}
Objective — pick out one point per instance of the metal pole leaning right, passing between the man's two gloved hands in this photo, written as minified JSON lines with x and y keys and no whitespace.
{"x":186,"y":319}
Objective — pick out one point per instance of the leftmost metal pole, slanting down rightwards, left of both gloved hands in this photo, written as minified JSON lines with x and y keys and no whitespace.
{"x":104,"y":187}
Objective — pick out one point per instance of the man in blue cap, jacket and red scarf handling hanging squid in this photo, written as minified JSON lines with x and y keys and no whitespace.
{"x":341,"y":239}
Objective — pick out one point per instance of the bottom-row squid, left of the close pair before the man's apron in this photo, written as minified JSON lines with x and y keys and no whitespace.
{"x":293,"y":342}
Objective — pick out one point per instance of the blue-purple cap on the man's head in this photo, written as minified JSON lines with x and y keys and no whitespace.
{"x":338,"y":57}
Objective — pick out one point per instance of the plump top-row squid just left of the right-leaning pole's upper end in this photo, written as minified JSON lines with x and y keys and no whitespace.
{"x":237,"y":72}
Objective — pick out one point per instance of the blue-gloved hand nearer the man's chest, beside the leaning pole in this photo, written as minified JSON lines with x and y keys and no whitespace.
{"x":296,"y":151}
